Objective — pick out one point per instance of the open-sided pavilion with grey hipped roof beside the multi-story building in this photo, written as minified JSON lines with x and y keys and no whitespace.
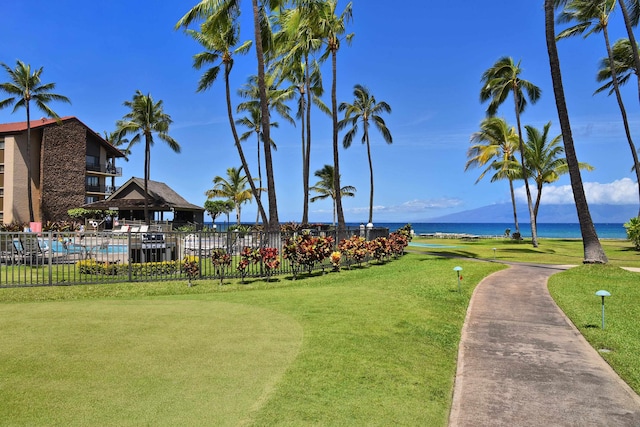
{"x":128,"y":200}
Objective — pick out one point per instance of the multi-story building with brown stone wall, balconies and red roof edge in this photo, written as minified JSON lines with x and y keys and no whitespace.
{"x":71,"y":165}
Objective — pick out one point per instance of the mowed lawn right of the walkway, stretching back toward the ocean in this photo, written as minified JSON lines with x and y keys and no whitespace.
{"x":574,"y":290}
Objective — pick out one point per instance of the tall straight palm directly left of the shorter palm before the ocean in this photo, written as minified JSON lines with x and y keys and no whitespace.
{"x":332,"y":28}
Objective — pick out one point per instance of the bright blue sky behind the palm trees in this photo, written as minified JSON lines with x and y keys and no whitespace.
{"x":425,"y":59}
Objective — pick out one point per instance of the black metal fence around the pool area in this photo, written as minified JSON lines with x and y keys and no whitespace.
{"x":64,"y":258}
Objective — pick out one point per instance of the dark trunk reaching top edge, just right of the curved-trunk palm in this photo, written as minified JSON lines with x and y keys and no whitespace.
{"x":274,"y":223}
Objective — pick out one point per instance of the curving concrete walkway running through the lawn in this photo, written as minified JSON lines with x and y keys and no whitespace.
{"x":522,"y":363}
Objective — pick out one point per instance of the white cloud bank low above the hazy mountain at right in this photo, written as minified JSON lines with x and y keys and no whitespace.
{"x":620,"y":192}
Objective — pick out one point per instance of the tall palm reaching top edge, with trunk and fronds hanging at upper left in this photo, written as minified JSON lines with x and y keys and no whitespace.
{"x":221,"y":10}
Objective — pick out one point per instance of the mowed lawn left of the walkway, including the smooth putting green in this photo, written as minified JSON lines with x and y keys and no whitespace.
{"x":370,"y":346}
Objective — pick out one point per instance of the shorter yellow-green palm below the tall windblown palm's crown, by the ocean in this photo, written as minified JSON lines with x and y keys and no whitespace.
{"x":495,"y":146}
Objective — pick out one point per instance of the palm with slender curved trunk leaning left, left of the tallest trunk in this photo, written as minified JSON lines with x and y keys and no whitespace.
{"x":220,"y":38}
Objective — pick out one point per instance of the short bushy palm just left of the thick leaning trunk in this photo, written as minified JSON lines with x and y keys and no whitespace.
{"x":544,"y":159}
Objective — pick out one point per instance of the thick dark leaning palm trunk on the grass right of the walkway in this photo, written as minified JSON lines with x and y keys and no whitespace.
{"x":593,"y":252}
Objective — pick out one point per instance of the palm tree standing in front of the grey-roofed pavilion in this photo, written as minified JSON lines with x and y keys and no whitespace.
{"x":146,"y":118}
